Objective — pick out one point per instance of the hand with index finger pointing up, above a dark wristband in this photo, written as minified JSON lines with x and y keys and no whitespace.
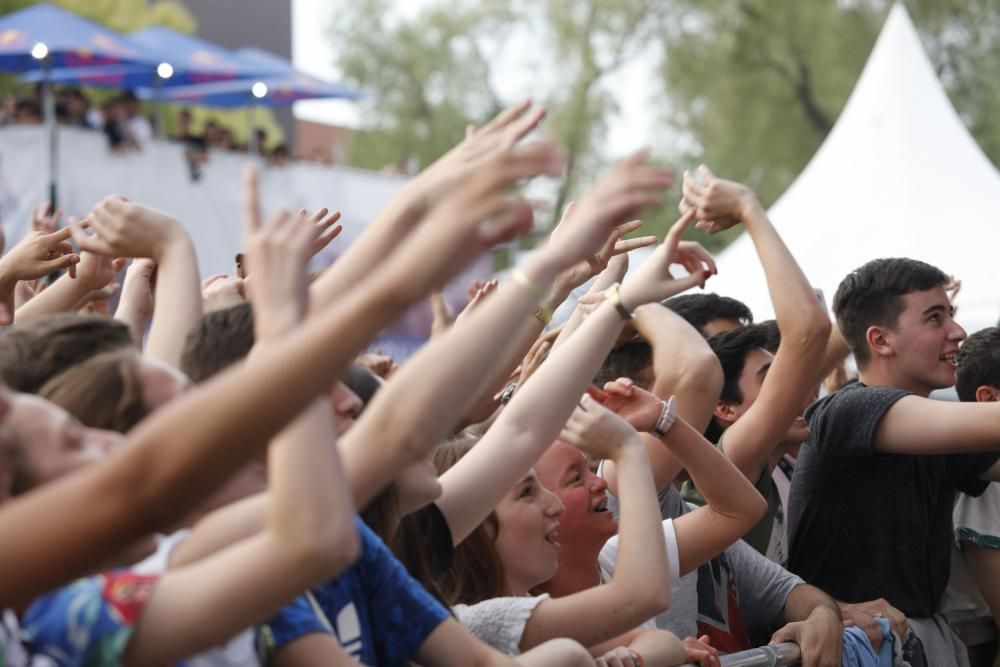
{"x":653,"y":281}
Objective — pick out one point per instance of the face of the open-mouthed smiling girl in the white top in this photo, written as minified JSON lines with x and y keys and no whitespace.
{"x":527,"y":540}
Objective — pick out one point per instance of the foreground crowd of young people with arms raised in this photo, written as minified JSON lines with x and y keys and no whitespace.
{"x":221,"y":472}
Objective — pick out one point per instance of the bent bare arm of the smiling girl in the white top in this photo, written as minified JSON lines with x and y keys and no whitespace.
{"x":640,"y":587}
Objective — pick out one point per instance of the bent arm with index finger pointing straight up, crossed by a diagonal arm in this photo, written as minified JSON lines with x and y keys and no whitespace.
{"x":309,"y":536}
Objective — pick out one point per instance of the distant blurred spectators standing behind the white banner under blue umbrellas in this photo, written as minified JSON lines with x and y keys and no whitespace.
{"x":128,"y":128}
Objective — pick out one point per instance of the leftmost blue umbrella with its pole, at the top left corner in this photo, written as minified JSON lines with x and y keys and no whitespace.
{"x":43,"y":37}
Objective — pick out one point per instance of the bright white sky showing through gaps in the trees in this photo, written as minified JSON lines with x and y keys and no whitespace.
{"x":312,"y":52}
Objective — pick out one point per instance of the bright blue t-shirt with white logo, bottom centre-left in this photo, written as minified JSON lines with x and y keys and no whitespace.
{"x":377,"y":611}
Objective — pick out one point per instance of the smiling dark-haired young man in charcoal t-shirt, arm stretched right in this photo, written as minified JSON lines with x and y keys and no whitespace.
{"x":871,"y":499}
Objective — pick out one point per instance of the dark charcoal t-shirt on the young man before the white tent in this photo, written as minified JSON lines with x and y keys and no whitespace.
{"x":864,"y":525}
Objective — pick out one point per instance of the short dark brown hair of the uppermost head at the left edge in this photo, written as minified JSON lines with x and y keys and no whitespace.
{"x":33,"y":354}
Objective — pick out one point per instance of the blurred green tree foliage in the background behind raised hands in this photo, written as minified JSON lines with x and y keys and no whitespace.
{"x":751,"y":87}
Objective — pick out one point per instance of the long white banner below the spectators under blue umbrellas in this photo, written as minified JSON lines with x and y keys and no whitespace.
{"x":210,"y":207}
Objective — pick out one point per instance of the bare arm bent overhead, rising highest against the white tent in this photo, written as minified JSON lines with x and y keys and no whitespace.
{"x":804,"y":325}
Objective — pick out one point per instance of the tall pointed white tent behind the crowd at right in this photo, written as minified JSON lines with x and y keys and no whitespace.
{"x":898,"y":176}
